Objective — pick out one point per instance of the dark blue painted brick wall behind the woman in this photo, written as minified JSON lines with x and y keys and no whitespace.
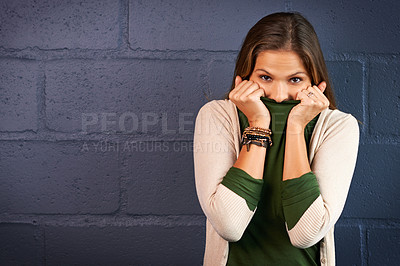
{"x":80,"y":187}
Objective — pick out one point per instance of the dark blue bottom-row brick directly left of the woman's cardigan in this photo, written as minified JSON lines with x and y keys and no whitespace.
{"x":127,"y":245}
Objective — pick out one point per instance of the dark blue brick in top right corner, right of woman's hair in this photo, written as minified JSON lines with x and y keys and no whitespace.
{"x":374,"y":28}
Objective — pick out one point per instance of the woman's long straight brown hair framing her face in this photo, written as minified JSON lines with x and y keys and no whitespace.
{"x":290,"y":32}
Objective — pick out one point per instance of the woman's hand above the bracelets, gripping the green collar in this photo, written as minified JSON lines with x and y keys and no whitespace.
{"x":246,"y":96}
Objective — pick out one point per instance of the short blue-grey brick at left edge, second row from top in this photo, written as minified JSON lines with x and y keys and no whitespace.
{"x":18,"y":88}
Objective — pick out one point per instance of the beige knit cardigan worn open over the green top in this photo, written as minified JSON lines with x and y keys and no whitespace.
{"x":332,"y":154}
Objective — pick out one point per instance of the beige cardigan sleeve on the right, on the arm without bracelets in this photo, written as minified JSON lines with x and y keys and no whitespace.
{"x":333,"y":165}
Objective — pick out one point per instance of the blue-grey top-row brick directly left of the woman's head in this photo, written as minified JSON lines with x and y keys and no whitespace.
{"x":183,"y":25}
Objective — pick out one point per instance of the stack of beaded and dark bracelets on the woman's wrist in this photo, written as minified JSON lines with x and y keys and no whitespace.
{"x":258,"y":136}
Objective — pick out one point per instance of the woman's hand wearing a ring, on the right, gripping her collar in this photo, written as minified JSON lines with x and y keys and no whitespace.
{"x":313,"y":101}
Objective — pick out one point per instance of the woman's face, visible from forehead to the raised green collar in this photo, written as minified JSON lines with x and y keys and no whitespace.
{"x":280,"y":74}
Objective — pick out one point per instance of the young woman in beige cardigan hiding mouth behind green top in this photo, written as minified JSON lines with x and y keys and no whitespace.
{"x":274,"y":161}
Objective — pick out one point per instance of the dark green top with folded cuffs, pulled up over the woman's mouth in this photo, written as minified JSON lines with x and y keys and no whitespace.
{"x":265,"y":240}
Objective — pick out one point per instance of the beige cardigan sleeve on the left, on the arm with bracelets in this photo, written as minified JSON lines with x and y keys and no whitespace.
{"x":214,"y":154}
